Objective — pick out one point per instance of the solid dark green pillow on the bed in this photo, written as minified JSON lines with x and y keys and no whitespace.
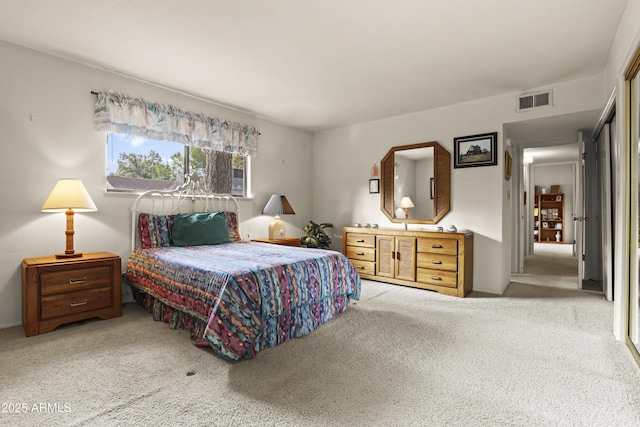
{"x":200,"y":229}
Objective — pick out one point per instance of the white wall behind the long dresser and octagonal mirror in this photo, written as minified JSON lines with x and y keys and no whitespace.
{"x":343,"y":157}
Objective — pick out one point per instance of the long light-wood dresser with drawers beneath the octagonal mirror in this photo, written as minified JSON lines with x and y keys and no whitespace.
{"x":437,"y":261}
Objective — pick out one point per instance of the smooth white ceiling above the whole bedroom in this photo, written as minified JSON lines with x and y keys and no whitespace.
{"x":318,"y":64}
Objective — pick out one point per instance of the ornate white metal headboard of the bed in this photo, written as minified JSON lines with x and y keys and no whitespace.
{"x":190,"y":197}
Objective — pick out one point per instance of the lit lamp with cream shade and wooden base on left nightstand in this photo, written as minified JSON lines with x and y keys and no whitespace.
{"x":69,"y":196}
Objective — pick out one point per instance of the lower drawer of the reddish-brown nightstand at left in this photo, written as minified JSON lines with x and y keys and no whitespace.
{"x":74,"y":302}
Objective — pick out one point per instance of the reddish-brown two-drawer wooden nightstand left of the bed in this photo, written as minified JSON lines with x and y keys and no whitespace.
{"x":62,"y":290}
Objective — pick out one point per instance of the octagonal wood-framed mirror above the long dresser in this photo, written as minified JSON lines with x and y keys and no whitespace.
{"x":421,"y":172}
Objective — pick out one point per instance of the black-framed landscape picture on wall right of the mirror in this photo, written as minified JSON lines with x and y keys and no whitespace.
{"x":475,"y":150}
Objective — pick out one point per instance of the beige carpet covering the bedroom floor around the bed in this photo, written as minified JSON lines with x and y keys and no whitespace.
{"x":400,"y":357}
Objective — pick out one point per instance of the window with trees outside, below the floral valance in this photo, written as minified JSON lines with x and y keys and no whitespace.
{"x":139,"y":164}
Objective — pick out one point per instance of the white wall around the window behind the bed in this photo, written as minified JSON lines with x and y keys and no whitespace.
{"x":46,"y":133}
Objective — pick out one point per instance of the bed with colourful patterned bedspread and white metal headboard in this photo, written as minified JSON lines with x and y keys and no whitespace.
{"x":190,"y":268}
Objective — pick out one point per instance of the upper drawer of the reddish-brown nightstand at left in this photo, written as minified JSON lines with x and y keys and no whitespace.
{"x":74,"y":279}
